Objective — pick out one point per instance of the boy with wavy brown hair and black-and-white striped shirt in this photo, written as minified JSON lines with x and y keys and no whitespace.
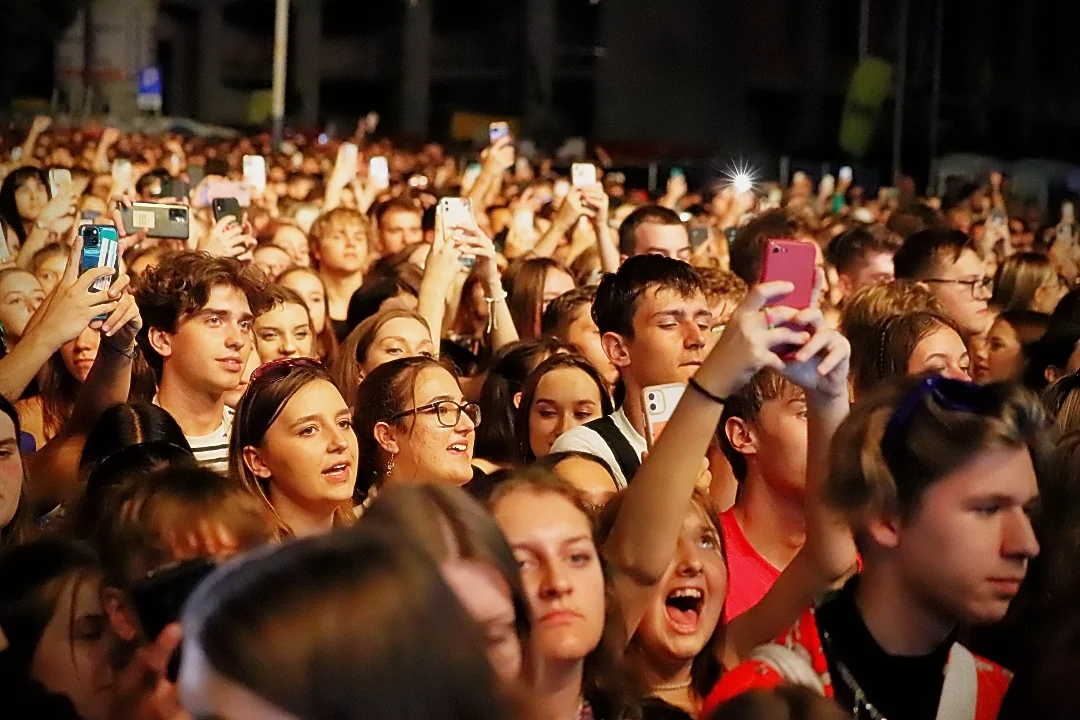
{"x":198,"y":313}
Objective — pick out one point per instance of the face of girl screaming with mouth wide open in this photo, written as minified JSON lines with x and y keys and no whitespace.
{"x":686,"y":608}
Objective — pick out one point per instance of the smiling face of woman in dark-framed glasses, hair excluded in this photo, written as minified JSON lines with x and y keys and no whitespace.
{"x":425,"y":450}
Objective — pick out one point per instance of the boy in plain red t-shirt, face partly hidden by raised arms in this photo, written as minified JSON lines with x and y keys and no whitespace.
{"x":763,"y":433}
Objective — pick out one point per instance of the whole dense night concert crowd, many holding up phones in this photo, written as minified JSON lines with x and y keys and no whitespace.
{"x":345,"y":454}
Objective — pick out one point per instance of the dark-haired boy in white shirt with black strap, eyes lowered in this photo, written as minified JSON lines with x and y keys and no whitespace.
{"x":655,"y":323}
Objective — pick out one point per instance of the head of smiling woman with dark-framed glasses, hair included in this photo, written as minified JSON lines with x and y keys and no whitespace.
{"x":414,"y":427}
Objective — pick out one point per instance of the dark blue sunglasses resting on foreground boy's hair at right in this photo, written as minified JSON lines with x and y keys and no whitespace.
{"x":950,"y":395}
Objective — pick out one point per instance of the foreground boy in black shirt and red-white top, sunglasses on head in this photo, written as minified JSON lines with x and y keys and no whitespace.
{"x":937,"y":479}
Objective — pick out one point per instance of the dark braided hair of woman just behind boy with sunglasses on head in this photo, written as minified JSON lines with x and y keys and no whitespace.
{"x":886,"y":351}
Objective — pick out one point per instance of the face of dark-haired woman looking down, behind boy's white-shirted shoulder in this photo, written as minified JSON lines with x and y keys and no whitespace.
{"x":565,"y":398}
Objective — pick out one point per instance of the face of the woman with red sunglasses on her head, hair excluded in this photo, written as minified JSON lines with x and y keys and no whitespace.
{"x":309,"y":454}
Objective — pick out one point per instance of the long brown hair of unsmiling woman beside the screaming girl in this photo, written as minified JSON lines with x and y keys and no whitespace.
{"x":606,"y":685}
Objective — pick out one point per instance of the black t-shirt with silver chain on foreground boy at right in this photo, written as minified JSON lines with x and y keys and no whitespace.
{"x":900,"y":688}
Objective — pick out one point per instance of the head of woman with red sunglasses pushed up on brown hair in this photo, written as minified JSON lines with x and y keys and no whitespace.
{"x":293,"y":446}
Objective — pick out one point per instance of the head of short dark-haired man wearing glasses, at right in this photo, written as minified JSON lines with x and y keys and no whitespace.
{"x":947,"y":263}
